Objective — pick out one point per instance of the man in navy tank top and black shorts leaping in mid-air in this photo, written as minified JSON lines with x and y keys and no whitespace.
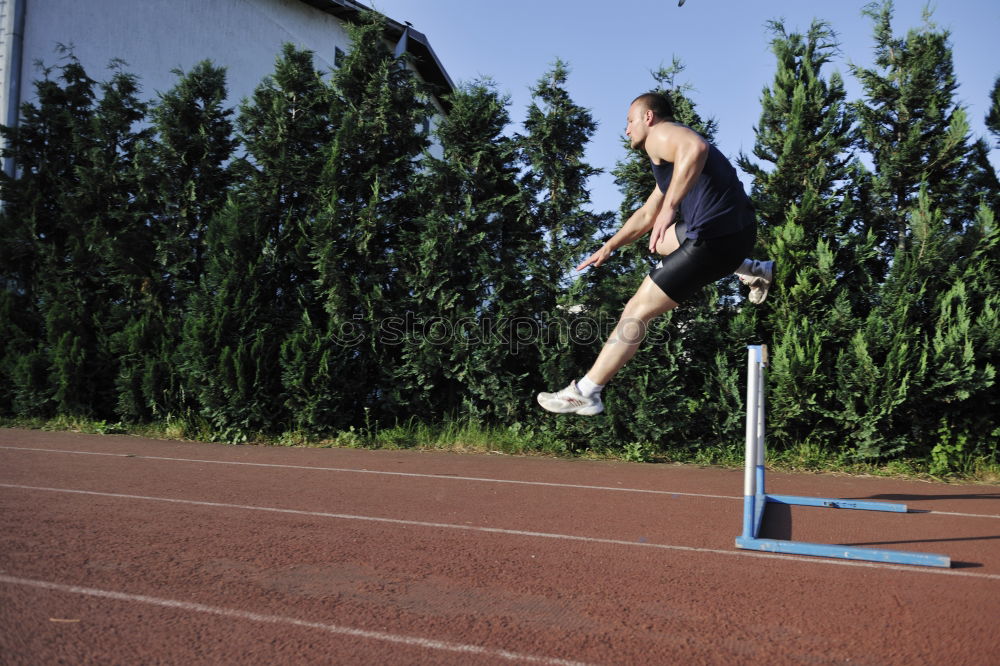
{"x":718,"y":231}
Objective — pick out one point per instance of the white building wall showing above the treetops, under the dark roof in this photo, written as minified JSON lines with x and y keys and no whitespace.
{"x":156,"y":36}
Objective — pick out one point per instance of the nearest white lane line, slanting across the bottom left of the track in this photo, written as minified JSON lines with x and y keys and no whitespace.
{"x":413,"y":641}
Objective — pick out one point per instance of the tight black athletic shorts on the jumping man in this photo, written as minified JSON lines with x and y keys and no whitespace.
{"x":696,"y":263}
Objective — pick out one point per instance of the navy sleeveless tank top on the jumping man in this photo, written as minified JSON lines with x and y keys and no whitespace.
{"x":717,"y":205}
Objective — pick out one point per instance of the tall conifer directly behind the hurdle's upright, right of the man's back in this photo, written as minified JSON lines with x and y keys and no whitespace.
{"x":809,"y":228}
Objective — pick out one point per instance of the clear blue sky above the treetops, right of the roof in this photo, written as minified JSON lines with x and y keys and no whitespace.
{"x":724,"y":44}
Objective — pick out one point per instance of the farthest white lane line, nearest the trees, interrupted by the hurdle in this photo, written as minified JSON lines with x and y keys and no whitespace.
{"x":349,"y":470}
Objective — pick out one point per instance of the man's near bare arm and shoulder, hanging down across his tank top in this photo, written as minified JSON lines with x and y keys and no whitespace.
{"x":688,"y":152}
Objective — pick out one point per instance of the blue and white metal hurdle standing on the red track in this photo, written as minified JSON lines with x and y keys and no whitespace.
{"x":755,"y":499}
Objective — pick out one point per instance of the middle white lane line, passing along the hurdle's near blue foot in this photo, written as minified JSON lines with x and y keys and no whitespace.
{"x":510,"y":532}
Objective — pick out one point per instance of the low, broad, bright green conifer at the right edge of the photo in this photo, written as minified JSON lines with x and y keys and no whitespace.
{"x":919,"y":374}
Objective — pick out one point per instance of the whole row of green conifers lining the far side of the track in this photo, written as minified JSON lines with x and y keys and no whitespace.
{"x":315,"y":260}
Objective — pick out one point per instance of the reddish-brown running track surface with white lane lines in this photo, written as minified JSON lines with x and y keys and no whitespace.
{"x":126,"y":550}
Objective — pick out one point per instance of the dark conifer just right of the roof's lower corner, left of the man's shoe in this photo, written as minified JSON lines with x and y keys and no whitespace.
{"x":470,"y":266}
